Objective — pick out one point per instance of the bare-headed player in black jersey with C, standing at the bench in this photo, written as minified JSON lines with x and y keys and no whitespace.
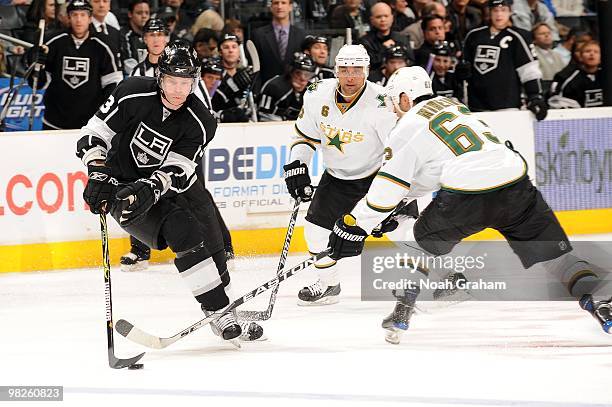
{"x":498,"y":62}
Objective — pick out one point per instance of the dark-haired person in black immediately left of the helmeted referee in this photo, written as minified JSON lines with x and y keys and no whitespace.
{"x":133,"y":48}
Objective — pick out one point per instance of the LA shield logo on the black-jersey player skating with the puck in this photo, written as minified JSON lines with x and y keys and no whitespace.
{"x":149,"y":148}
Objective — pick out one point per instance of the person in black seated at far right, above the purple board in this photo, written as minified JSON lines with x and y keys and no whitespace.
{"x":583,"y":87}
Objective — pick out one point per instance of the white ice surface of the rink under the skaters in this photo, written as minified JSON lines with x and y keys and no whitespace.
{"x":472,"y":354}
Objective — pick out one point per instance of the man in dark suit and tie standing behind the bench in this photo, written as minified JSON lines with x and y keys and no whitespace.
{"x":277,"y":42}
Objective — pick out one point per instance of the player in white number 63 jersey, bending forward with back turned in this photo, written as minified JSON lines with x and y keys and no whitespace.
{"x":438,"y":145}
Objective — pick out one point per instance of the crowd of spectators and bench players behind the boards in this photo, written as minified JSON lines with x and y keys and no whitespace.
{"x":296,"y":42}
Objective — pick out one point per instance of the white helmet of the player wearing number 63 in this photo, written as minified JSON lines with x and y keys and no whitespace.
{"x":411,"y":80}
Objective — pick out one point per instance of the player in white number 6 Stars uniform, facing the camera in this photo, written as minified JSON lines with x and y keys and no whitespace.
{"x":345,"y":118}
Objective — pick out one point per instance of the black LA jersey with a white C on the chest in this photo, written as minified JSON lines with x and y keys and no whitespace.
{"x":501,"y":62}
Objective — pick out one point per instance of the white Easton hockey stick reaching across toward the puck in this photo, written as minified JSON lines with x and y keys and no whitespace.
{"x":137,"y":335}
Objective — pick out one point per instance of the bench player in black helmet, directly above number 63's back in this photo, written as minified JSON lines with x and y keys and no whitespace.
{"x":444,"y":82}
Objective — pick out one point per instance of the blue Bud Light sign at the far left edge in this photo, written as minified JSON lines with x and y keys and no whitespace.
{"x":18,"y":114}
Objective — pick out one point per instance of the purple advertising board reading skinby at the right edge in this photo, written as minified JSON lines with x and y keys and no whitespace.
{"x":574,"y":163}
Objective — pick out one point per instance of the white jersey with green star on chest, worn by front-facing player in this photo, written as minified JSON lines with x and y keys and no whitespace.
{"x":350,"y":136}
